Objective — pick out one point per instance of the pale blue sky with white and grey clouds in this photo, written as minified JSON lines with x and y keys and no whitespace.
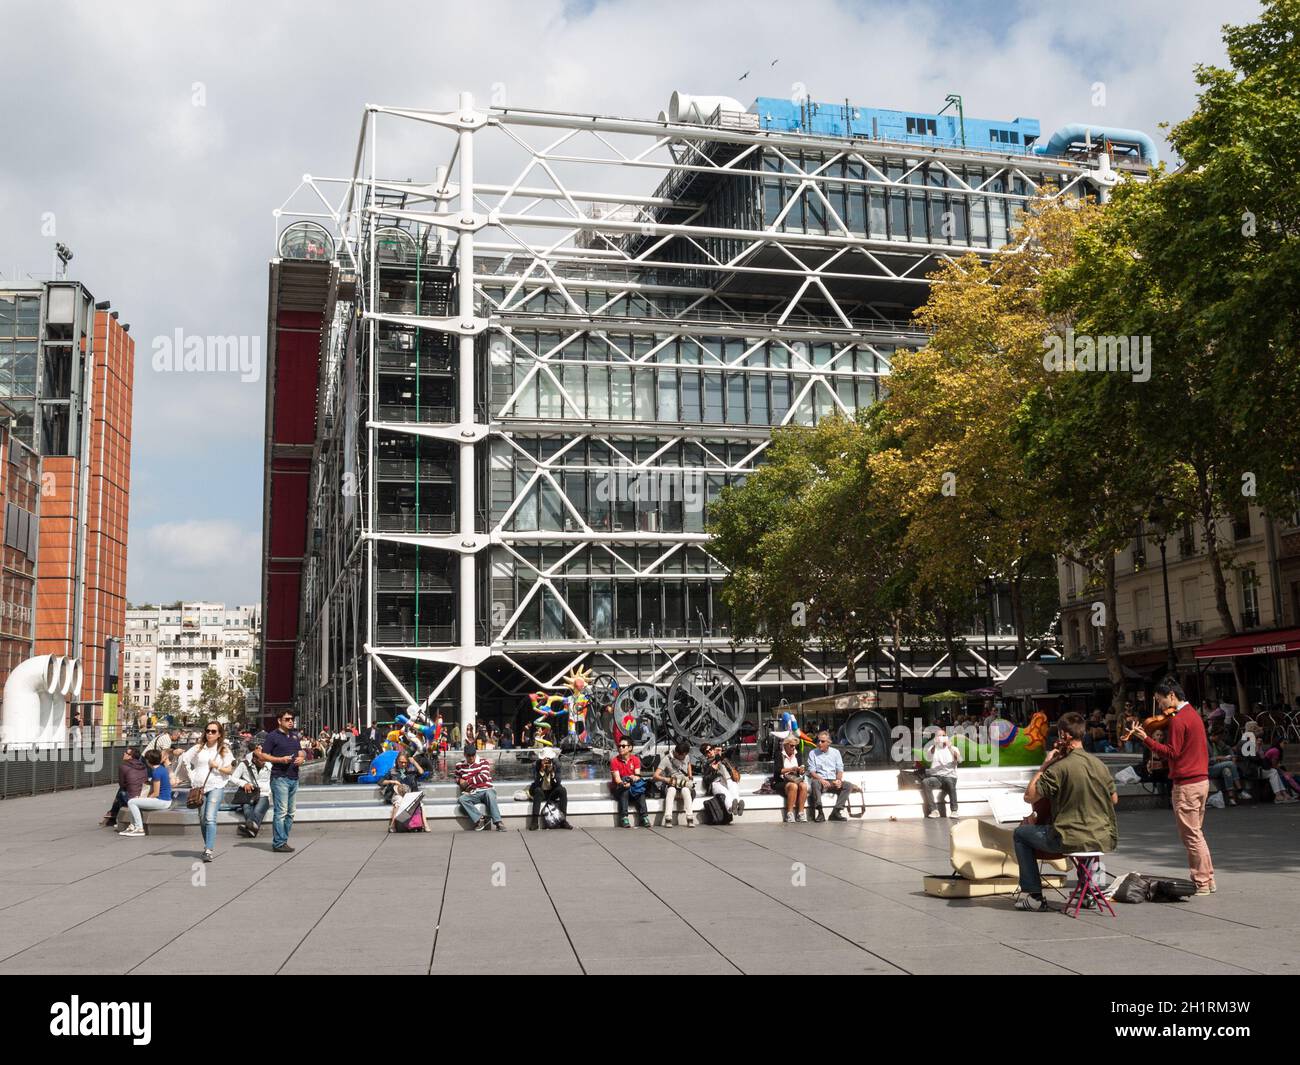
{"x":157,"y":140}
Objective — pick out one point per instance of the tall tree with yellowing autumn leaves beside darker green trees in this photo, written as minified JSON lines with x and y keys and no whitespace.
{"x":977,"y":510}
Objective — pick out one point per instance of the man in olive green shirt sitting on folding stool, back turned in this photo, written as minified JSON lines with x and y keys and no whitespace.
{"x":1084,"y":809}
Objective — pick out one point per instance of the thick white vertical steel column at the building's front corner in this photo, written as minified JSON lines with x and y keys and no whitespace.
{"x":466,"y":408}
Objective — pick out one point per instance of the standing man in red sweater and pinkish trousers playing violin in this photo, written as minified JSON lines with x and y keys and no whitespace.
{"x":1188,"y":756}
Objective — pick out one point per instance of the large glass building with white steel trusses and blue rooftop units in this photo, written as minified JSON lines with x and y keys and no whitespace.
{"x":504,"y":393}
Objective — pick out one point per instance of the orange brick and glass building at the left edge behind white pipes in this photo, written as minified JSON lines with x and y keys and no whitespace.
{"x":75,"y":400}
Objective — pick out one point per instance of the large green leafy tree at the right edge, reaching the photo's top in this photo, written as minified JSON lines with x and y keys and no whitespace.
{"x":1206,"y":262}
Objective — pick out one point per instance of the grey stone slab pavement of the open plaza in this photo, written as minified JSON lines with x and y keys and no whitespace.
{"x":76,"y":899}
